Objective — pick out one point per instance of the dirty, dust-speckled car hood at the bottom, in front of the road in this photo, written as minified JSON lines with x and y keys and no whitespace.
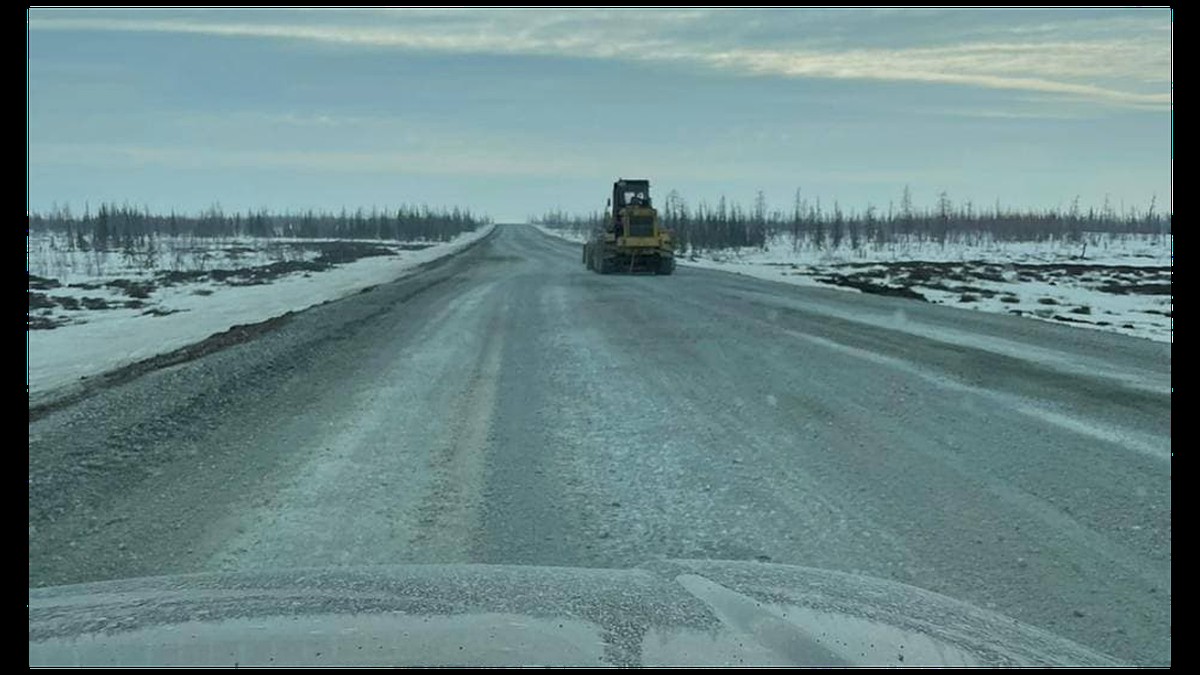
{"x":663,"y":613}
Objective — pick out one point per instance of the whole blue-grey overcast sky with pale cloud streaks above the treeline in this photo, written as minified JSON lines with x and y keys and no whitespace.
{"x":517,"y":112}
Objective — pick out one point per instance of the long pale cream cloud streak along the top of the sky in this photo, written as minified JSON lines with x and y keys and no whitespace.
{"x":1109,"y":70}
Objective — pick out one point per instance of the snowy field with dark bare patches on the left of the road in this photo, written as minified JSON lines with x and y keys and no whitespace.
{"x":91,"y":314}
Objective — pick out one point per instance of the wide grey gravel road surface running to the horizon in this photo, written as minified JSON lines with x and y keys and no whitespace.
{"x":509,"y":407}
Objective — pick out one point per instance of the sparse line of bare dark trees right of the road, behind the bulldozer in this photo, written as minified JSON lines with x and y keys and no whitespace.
{"x":811,"y":224}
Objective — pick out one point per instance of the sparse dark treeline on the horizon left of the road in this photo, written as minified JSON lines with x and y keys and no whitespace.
{"x":113,"y":226}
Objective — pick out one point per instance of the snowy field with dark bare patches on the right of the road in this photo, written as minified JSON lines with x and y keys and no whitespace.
{"x":1120,"y":284}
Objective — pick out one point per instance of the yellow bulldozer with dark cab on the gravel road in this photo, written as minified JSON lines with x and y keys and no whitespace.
{"x":632,"y":238}
